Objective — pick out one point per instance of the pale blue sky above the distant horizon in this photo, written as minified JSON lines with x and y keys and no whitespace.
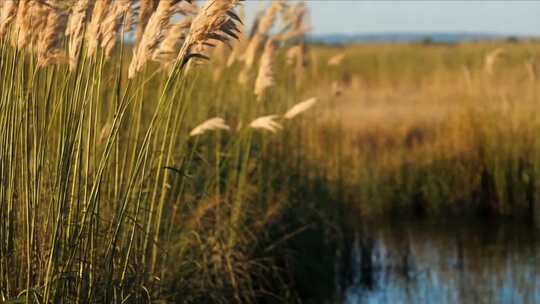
{"x":511,"y":17}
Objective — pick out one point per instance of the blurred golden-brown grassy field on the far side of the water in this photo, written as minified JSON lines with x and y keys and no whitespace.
{"x":432,"y":126}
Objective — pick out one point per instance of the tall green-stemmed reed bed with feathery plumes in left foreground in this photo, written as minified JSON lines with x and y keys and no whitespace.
{"x":117,"y":186}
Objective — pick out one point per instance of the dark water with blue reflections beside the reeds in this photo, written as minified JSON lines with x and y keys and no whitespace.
{"x":488,"y":262}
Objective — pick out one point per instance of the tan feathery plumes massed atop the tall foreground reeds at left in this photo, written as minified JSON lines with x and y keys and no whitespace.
{"x":100,"y":24}
